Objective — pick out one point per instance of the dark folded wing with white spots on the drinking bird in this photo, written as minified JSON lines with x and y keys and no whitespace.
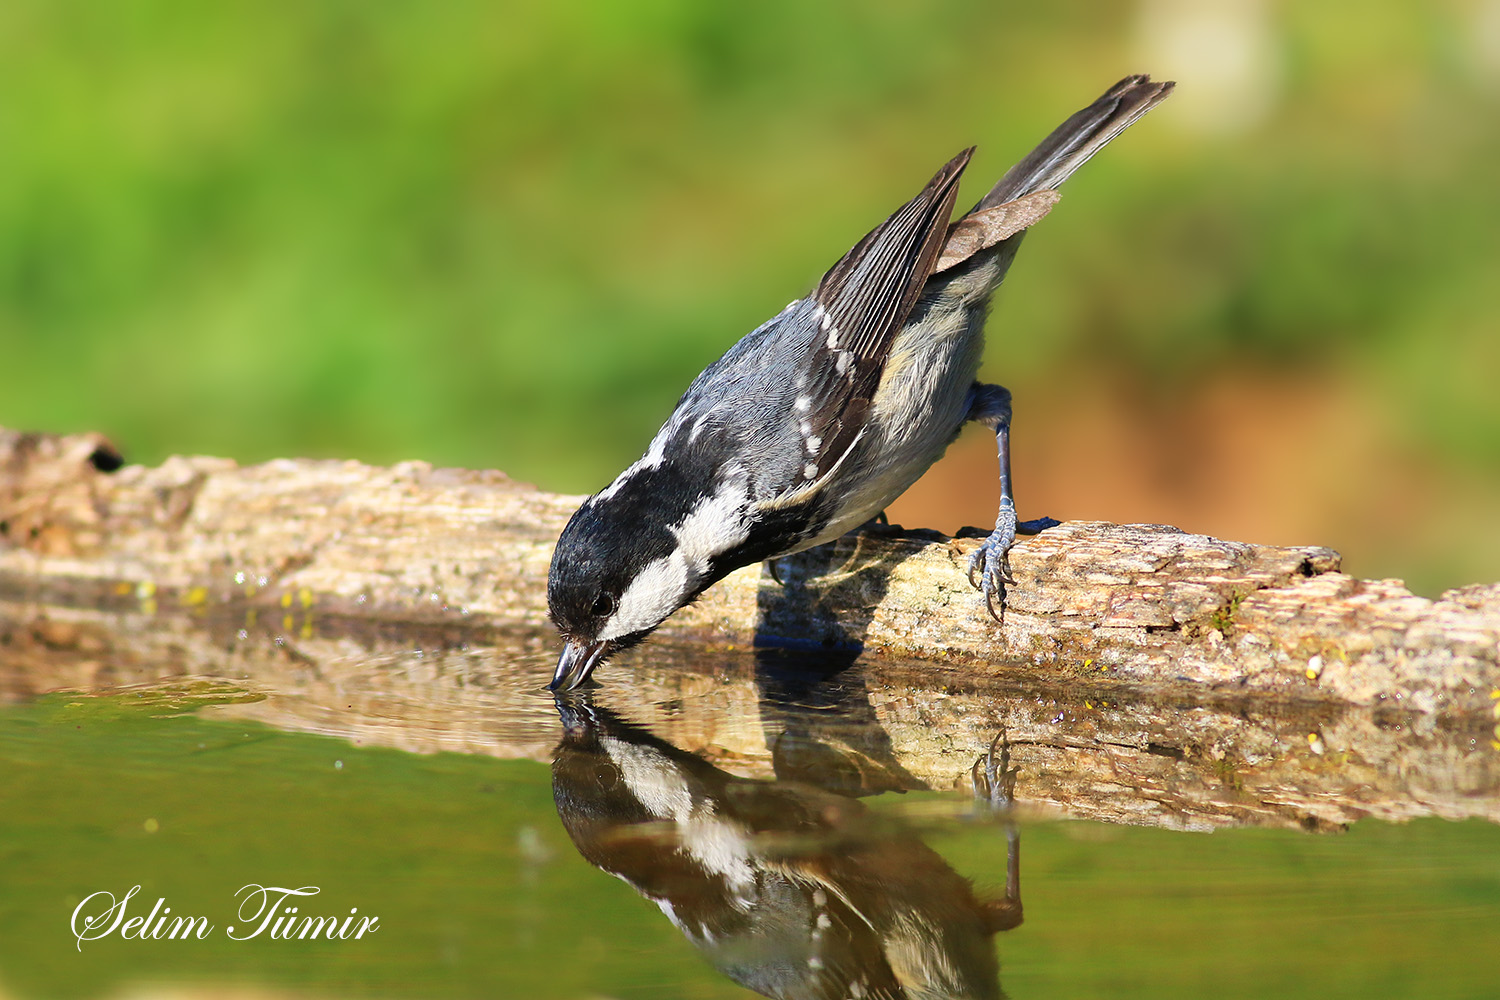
{"x":859,"y":308}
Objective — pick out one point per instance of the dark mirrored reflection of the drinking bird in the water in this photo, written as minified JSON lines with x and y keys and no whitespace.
{"x":788,"y":888}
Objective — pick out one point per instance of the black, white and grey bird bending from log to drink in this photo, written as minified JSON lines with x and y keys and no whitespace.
{"x":817,"y":421}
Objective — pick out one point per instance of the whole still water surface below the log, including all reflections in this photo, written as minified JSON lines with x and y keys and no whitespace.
{"x":709,"y":825}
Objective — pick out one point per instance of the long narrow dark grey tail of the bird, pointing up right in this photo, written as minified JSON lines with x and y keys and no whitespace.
{"x":1079,"y":139}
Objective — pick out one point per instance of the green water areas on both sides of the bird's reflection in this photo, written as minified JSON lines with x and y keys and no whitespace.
{"x":481,"y":894}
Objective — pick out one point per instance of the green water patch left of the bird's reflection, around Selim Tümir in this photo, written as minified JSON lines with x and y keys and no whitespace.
{"x":478,"y":890}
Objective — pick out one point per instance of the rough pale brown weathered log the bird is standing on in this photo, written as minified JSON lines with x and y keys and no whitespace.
{"x":1133,"y":605}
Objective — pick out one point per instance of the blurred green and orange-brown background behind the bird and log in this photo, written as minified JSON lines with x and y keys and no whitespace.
{"x":506,"y":236}
